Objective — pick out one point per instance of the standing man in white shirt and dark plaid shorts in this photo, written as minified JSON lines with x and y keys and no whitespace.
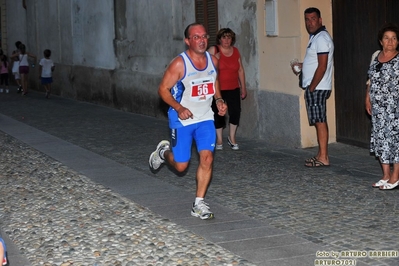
{"x":316,"y":81}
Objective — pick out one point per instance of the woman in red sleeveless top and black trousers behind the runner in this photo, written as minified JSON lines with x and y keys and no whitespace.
{"x":232,"y":85}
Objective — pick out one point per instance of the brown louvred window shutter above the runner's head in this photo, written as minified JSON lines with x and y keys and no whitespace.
{"x":206,"y":13}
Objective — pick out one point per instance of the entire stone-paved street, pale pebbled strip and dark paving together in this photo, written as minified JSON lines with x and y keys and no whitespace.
{"x":269,"y":208}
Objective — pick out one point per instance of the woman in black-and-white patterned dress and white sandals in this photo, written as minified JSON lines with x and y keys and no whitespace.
{"x":382,"y":103}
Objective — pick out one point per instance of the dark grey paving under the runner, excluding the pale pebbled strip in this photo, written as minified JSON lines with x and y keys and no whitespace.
{"x":269,"y":208}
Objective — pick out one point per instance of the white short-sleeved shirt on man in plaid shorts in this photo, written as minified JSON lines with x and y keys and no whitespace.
{"x":321,"y":43}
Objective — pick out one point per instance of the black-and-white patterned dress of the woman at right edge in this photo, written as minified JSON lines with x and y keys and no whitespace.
{"x":384,"y":97}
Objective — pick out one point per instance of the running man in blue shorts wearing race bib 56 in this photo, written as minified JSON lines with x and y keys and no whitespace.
{"x":188,"y":86}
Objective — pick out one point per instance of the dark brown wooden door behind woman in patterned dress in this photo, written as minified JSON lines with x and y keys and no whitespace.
{"x":355,"y":28}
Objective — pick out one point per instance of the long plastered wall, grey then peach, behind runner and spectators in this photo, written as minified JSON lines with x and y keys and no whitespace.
{"x":114,"y":53}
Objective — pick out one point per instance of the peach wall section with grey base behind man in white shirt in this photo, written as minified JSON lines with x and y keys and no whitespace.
{"x":284,"y":113}
